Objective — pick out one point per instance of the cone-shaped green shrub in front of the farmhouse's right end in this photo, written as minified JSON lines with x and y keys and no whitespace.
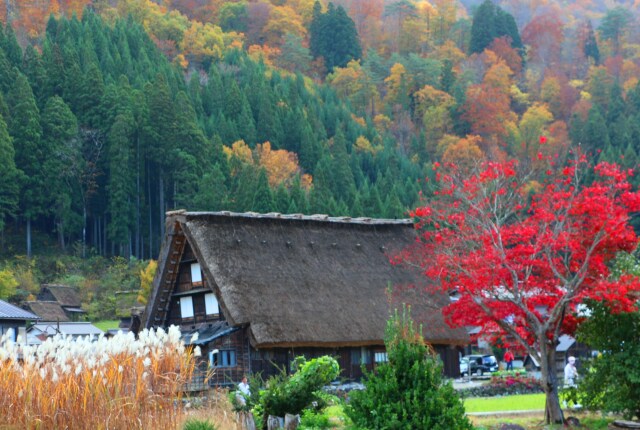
{"x":408,"y":392}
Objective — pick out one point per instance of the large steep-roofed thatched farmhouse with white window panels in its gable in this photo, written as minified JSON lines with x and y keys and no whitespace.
{"x":261,"y":289}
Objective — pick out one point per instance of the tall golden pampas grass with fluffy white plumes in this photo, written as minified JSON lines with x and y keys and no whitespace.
{"x":117,"y":383}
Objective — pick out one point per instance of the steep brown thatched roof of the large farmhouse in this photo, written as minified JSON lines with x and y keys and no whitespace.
{"x":306,"y":280}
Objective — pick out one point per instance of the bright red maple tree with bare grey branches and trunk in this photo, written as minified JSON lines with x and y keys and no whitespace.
{"x":523,"y":245}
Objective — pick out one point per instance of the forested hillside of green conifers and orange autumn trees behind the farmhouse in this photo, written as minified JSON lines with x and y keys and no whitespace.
{"x":116,"y":111}
